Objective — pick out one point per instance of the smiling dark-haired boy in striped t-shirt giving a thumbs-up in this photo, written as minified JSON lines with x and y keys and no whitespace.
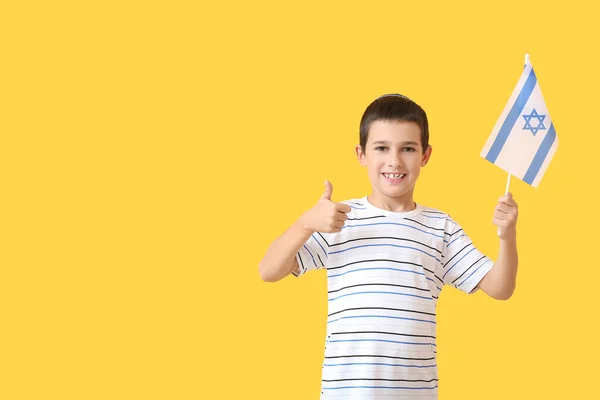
{"x":387,"y":259}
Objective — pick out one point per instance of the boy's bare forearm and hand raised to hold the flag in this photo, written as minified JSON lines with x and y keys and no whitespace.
{"x":501,"y":281}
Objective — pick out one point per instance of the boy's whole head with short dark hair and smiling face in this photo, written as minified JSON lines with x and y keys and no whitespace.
{"x":394,"y":145}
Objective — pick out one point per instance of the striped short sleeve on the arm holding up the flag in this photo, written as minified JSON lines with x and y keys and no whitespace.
{"x":463,"y":265}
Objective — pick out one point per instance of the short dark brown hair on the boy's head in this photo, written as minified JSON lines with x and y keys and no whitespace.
{"x":394,"y":107}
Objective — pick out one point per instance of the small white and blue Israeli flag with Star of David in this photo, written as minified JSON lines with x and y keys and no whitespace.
{"x":523,"y":141}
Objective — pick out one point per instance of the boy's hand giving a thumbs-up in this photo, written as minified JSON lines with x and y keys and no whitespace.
{"x":326,"y":216}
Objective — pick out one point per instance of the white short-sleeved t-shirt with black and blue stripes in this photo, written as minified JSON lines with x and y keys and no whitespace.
{"x":385,"y":271}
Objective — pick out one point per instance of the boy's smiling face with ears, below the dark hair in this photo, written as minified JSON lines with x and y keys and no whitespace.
{"x":393,"y":147}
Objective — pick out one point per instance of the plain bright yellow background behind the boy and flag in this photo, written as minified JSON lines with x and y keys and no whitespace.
{"x":151,"y":151}
